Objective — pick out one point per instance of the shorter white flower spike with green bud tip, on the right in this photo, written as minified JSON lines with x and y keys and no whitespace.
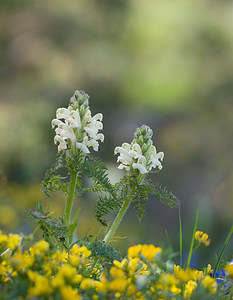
{"x":140,"y":155}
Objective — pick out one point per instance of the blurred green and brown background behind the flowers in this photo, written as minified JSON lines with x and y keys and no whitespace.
{"x":167,"y":64}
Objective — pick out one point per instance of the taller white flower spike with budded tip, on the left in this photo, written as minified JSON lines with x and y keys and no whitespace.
{"x":76,"y":129}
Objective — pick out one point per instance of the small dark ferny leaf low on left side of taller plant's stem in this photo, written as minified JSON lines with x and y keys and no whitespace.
{"x":49,"y":225}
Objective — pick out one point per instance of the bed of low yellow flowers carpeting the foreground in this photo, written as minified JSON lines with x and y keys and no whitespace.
{"x":53,"y":274}
